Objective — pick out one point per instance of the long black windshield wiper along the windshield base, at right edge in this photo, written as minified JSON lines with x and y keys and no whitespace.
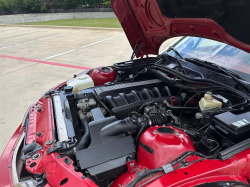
{"x":237,"y":78}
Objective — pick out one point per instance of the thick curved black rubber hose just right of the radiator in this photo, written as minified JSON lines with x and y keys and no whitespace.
{"x":85,"y":140}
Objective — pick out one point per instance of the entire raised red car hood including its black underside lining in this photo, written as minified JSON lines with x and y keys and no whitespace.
{"x":148,"y":23}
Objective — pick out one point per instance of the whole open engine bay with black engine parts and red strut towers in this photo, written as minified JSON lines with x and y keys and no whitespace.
{"x":143,"y":120}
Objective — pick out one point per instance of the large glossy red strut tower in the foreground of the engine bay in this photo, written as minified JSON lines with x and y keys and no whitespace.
{"x":167,"y":147}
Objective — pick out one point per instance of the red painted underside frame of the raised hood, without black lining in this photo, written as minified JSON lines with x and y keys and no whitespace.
{"x":157,"y":28}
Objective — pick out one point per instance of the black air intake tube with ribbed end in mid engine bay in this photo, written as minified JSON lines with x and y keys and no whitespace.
{"x":132,"y":124}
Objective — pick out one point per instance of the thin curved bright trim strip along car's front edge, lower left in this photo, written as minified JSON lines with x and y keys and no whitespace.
{"x":13,"y":165}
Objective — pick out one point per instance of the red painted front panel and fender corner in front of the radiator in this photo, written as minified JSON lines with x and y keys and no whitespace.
{"x":55,"y":168}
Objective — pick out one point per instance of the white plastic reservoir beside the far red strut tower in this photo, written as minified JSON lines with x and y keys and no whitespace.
{"x":79,"y":83}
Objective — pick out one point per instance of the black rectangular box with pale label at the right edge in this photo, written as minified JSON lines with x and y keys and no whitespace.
{"x":235,"y":127}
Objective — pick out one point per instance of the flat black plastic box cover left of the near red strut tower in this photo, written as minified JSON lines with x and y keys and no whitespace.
{"x":107,"y":160}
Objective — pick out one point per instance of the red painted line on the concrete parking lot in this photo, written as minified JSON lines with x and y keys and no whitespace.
{"x":45,"y":62}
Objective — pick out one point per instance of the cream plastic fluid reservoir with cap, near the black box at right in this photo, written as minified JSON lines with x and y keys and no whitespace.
{"x":208,"y":103}
